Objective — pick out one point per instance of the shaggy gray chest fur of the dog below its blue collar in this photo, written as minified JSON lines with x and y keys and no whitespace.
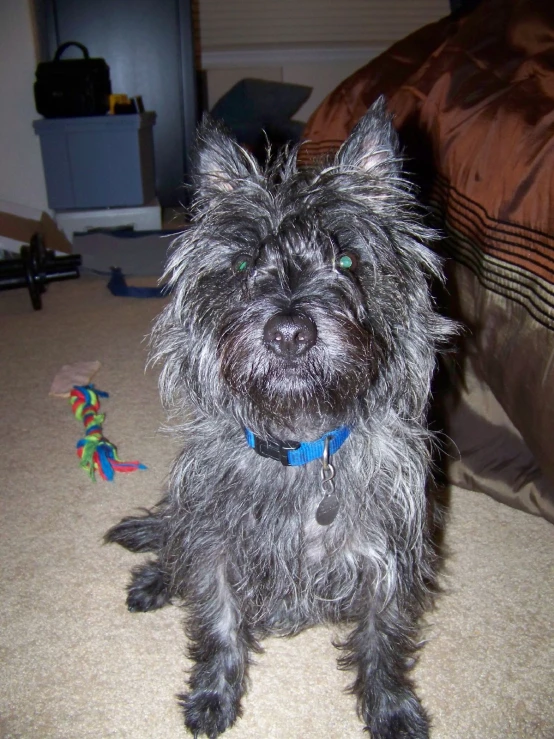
{"x":285,"y":567}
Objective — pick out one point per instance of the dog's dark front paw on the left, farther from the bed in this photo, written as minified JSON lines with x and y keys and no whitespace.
{"x":208,"y":712}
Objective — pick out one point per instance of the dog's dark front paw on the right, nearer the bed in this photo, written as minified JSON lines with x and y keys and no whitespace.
{"x":400,"y":718}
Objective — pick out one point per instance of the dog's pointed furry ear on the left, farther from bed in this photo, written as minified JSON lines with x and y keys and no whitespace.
{"x":220,"y":164}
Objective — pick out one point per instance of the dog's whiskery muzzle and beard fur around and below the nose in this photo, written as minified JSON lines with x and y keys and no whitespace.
{"x":316,"y":390}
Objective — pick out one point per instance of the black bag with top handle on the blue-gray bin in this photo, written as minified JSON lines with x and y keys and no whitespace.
{"x":72,"y":87}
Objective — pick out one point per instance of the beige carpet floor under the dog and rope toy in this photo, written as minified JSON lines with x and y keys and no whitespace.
{"x":75,"y":664}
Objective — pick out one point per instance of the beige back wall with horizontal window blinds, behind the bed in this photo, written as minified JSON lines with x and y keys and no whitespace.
{"x":311,"y":42}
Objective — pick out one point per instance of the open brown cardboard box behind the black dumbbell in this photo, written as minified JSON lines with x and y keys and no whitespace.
{"x":18,"y":224}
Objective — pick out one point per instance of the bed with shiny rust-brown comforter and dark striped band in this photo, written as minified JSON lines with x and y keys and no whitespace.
{"x":472,"y":98}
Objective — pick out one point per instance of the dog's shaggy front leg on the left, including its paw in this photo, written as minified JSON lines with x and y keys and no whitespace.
{"x":219,"y":644}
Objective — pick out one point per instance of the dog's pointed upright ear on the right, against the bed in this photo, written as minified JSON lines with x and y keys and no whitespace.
{"x":373,"y":144}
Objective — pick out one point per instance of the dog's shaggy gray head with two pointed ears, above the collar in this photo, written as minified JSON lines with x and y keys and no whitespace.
{"x":300,"y":296}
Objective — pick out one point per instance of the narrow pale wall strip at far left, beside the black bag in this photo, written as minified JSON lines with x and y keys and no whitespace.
{"x":21,"y":175}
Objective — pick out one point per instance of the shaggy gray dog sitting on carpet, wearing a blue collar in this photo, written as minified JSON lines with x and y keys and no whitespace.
{"x":297,"y":353}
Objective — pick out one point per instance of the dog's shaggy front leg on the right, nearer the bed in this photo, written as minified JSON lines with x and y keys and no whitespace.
{"x":380,"y":648}
